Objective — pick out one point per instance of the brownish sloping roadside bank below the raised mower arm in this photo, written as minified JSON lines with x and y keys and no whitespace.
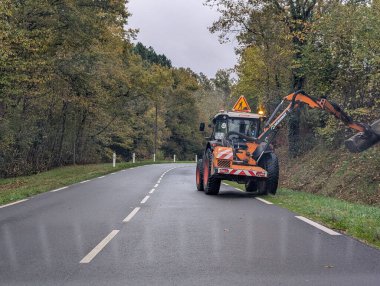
{"x":339,"y":173}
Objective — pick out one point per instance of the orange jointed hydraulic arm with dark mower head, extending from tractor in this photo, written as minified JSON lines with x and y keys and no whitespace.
{"x":367,"y":136}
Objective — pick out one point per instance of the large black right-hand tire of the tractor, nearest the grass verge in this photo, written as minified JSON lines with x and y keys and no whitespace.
{"x":269,"y":162}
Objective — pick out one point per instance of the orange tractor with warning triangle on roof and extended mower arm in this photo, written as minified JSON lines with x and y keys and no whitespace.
{"x":240,"y":149}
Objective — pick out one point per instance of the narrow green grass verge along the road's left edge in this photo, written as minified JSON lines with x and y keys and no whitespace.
{"x":18,"y":188}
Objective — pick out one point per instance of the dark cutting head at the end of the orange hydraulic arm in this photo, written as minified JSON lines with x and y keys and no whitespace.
{"x":363,"y":140}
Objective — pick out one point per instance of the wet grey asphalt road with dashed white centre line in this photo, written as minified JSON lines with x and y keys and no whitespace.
{"x":108,"y":232}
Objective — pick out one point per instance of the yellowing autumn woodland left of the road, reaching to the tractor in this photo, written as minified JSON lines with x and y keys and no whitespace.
{"x":74,"y":88}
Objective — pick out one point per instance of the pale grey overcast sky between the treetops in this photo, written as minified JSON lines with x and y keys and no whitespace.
{"x":178,"y":29}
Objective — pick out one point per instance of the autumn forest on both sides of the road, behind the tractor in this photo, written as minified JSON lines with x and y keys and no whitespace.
{"x":76,"y":87}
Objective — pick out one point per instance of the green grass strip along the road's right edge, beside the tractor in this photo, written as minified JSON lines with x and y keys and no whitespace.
{"x":357,"y":220}
